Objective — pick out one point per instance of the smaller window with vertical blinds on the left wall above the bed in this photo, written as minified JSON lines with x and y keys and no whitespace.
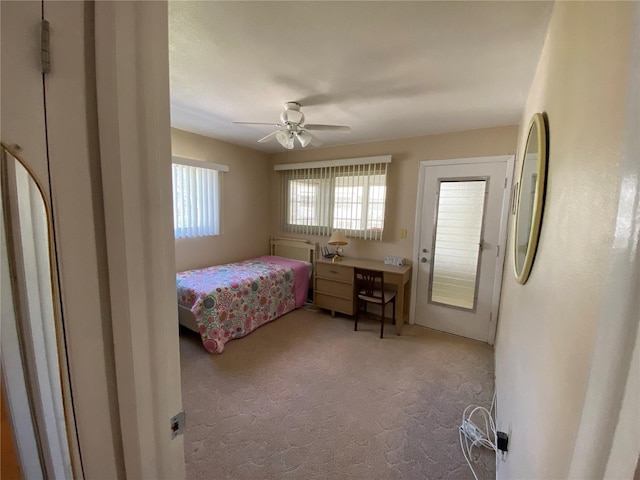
{"x":196,"y":197}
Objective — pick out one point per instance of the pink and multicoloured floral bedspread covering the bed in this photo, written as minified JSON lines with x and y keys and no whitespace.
{"x":229,"y":301}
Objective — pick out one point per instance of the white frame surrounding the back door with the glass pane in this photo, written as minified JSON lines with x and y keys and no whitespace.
{"x":504,"y":220}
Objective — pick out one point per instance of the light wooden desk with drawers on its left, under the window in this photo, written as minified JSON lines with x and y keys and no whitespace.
{"x":333,"y":287}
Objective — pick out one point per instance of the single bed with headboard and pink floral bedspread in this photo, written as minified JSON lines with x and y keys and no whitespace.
{"x":224,"y":302}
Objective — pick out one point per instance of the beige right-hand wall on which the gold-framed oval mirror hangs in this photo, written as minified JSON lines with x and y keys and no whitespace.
{"x":546,"y":329}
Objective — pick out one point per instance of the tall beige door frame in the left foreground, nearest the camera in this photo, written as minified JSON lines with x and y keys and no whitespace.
{"x":131,"y":49}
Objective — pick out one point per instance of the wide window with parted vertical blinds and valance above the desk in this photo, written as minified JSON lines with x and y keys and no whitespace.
{"x":348,"y":195}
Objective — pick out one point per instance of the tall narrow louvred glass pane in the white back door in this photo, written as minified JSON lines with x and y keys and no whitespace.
{"x":457,"y":242}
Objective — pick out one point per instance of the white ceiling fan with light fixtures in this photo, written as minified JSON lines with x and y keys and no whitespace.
{"x":292,"y":127}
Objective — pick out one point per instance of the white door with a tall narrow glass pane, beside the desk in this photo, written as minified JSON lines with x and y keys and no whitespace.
{"x":461,"y":224}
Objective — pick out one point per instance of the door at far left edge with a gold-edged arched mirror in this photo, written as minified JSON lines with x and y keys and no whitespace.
{"x":32,"y":366}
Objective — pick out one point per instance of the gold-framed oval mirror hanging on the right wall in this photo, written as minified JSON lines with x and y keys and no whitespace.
{"x":530,"y":197}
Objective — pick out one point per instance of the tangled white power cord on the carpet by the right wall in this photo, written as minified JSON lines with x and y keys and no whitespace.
{"x":473,"y":435}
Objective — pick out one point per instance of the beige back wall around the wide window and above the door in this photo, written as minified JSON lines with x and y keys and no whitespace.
{"x":402,"y":181}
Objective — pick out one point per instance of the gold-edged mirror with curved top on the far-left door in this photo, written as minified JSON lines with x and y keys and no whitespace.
{"x":33,"y":346}
